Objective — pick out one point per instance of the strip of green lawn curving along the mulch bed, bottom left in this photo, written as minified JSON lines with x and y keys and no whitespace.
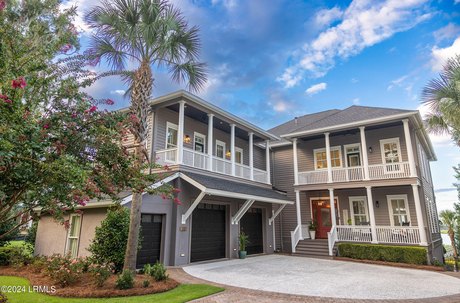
{"x":182,"y":293}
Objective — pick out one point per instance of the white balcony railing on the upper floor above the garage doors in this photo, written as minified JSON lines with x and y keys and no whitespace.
{"x":200,"y":160}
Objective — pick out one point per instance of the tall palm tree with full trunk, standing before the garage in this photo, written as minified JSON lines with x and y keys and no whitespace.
{"x":150,"y":34}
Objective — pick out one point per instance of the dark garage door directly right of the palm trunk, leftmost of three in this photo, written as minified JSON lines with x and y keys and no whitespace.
{"x":151,"y":239}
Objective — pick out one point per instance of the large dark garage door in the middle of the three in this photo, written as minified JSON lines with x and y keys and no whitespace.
{"x":208,"y":232}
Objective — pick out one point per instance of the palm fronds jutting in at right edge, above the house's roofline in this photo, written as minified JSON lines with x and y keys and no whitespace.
{"x":442,"y":96}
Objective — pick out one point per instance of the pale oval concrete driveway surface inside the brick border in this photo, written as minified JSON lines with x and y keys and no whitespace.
{"x":326,"y":278}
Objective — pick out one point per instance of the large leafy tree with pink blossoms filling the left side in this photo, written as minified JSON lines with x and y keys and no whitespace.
{"x":57,"y":149}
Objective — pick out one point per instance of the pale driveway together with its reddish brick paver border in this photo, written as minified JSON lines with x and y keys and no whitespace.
{"x":275,"y":267}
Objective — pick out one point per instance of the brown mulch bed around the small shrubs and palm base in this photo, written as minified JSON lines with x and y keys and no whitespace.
{"x":86,"y":288}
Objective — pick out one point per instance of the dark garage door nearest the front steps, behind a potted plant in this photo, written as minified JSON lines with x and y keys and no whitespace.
{"x":251,"y":224}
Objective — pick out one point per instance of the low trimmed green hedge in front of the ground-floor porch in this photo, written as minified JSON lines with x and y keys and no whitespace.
{"x":399,"y":254}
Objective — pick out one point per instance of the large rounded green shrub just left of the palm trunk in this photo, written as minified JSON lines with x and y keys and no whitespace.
{"x":109,"y":243}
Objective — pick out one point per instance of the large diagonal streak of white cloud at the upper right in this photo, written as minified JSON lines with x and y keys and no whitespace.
{"x":363,"y":24}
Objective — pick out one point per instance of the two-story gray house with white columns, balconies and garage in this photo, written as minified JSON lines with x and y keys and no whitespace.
{"x":234,"y":176}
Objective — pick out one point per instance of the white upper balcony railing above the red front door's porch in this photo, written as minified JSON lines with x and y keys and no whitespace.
{"x":357,"y":173}
